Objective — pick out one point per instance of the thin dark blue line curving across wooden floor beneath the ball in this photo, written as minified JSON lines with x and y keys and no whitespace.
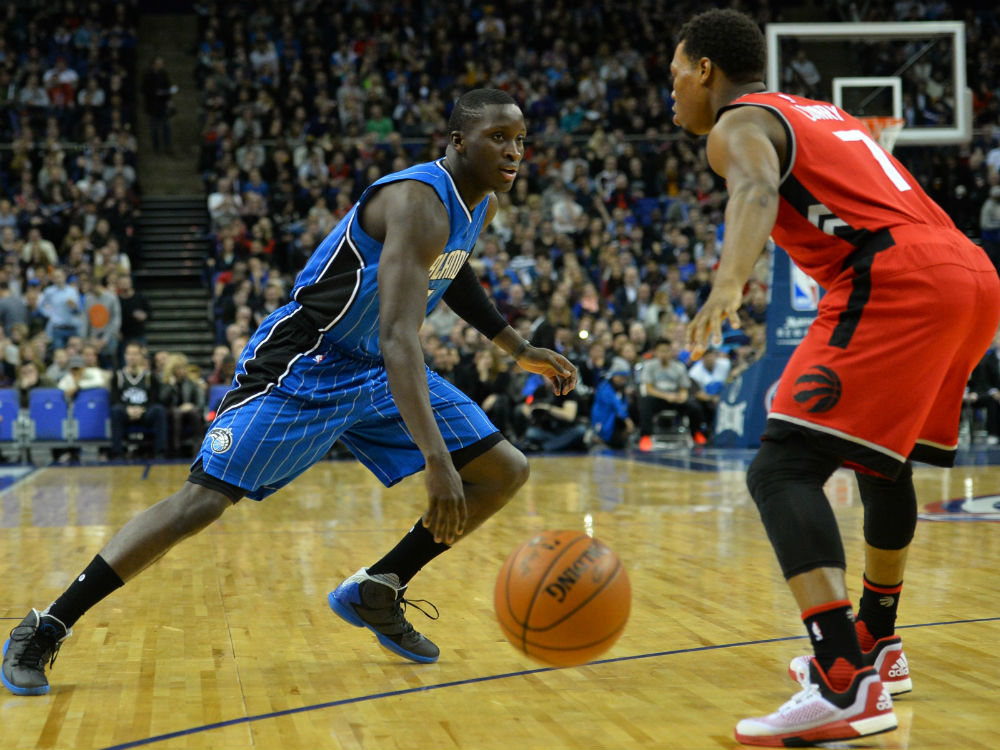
{"x":474,"y":680}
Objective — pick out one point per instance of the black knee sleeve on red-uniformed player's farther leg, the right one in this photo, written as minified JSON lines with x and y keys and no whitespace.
{"x":890,"y":509}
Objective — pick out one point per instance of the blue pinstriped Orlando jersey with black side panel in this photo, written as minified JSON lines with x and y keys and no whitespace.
{"x":338,"y":288}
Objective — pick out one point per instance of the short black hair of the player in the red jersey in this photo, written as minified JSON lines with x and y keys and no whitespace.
{"x":731,"y":40}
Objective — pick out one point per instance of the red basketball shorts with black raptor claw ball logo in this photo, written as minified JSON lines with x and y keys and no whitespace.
{"x":879,"y":378}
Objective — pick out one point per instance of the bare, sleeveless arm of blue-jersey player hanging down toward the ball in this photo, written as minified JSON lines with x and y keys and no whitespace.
{"x":416,"y":231}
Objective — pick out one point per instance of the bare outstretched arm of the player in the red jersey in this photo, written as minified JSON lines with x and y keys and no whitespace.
{"x":742,"y":149}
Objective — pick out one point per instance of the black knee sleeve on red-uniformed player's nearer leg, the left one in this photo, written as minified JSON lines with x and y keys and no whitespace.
{"x":786,"y":481}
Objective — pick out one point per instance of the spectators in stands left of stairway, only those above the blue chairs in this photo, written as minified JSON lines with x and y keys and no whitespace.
{"x":68,"y":185}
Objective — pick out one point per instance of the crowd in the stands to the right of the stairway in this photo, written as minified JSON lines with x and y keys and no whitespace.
{"x":607,"y":243}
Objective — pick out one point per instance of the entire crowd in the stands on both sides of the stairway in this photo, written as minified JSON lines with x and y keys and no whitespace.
{"x":603,"y":250}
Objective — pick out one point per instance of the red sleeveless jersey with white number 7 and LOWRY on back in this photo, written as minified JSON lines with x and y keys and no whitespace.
{"x":838,"y":185}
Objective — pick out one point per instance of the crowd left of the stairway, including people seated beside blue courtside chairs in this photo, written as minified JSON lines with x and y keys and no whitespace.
{"x":69,"y":197}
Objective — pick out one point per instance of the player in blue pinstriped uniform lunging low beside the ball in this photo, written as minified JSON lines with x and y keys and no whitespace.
{"x":342,"y":360}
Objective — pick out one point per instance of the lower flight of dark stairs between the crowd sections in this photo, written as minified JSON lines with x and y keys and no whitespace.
{"x":169,"y":272}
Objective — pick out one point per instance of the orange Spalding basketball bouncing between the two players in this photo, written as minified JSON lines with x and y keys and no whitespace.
{"x":562,"y":598}
